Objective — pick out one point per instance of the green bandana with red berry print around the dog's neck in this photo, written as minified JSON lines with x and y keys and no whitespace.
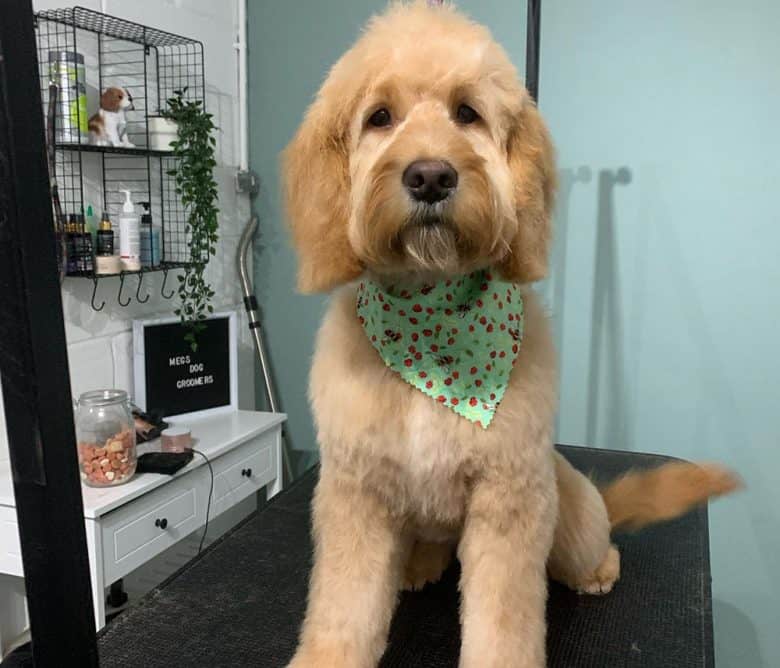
{"x":456,"y":341}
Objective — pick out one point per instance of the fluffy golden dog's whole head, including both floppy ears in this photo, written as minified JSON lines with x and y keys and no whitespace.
{"x":422,"y":153}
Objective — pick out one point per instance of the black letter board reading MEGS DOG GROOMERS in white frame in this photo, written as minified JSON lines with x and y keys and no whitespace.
{"x":174,"y":380}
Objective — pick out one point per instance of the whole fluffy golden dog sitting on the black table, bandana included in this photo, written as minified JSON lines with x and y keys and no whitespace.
{"x":419,"y":188}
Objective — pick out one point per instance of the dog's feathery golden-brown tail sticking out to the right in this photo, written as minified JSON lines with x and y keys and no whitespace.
{"x":639,"y":498}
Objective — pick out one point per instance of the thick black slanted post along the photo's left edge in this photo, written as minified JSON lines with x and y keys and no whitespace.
{"x":34,"y":367}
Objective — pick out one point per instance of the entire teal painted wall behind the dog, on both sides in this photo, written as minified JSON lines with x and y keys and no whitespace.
{"x":664,"y":284}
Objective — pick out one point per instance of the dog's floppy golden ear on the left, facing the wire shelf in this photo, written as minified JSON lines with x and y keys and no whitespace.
{"x":316,"y":179}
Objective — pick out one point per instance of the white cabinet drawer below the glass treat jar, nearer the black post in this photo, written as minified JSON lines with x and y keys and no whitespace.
{"x":134,"y":534}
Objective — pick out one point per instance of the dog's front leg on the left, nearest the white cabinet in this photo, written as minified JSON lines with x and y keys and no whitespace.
{"x":358,"y":556}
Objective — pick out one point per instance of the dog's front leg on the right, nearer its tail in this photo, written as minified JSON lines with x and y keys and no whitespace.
{"x":503,"y":551}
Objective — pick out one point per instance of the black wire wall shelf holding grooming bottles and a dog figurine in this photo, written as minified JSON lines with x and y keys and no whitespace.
{"x":98,"y":51}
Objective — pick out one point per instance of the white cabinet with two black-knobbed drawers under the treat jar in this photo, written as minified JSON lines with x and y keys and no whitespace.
{"x":129,"y":524}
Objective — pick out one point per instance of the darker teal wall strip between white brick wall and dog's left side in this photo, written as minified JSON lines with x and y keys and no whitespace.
{"x":291,"y":47}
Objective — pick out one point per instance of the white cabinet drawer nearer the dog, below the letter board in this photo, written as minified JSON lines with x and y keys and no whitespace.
{"x":249,"y":468}
